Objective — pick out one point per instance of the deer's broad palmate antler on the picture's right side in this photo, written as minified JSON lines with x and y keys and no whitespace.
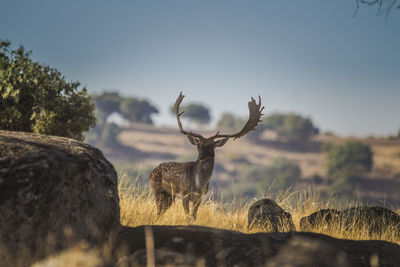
{"x":254,"y":118}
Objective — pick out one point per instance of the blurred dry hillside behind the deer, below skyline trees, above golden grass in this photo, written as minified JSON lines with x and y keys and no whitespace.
{"x":152,"y":145}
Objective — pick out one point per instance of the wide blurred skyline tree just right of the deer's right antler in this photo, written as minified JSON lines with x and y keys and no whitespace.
{"x":290,"y":127}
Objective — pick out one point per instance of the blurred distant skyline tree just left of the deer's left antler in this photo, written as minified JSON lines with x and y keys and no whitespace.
{"x":137,"y":110}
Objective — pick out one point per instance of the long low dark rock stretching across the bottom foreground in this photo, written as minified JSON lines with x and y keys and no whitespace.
{"x":216,"y":247}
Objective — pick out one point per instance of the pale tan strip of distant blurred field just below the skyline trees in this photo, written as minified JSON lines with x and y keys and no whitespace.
{"x":150,"y":139}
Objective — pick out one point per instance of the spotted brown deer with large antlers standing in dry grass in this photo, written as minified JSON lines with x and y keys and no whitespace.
{"x":190,"y":180}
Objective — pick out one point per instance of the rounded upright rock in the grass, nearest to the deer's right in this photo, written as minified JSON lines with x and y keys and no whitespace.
{"x":267,"y":215}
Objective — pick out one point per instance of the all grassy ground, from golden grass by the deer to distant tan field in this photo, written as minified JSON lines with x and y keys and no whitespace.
{"x":138,"y":206}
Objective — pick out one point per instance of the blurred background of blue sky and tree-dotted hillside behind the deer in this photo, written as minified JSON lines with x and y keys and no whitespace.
{"x":326,"y":71}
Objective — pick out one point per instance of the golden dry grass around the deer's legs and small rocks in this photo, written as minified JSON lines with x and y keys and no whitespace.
{"x":138,"y":208}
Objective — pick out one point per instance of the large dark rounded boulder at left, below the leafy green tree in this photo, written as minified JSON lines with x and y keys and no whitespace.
{"x":54,"y":193}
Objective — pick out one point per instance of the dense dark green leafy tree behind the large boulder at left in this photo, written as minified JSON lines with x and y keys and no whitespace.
{"x":36,"y":98}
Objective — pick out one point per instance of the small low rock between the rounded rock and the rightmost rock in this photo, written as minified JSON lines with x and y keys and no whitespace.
{"x":324,"y":218}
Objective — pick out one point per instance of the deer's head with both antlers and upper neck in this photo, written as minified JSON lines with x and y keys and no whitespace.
{"x":206,"y":146}
